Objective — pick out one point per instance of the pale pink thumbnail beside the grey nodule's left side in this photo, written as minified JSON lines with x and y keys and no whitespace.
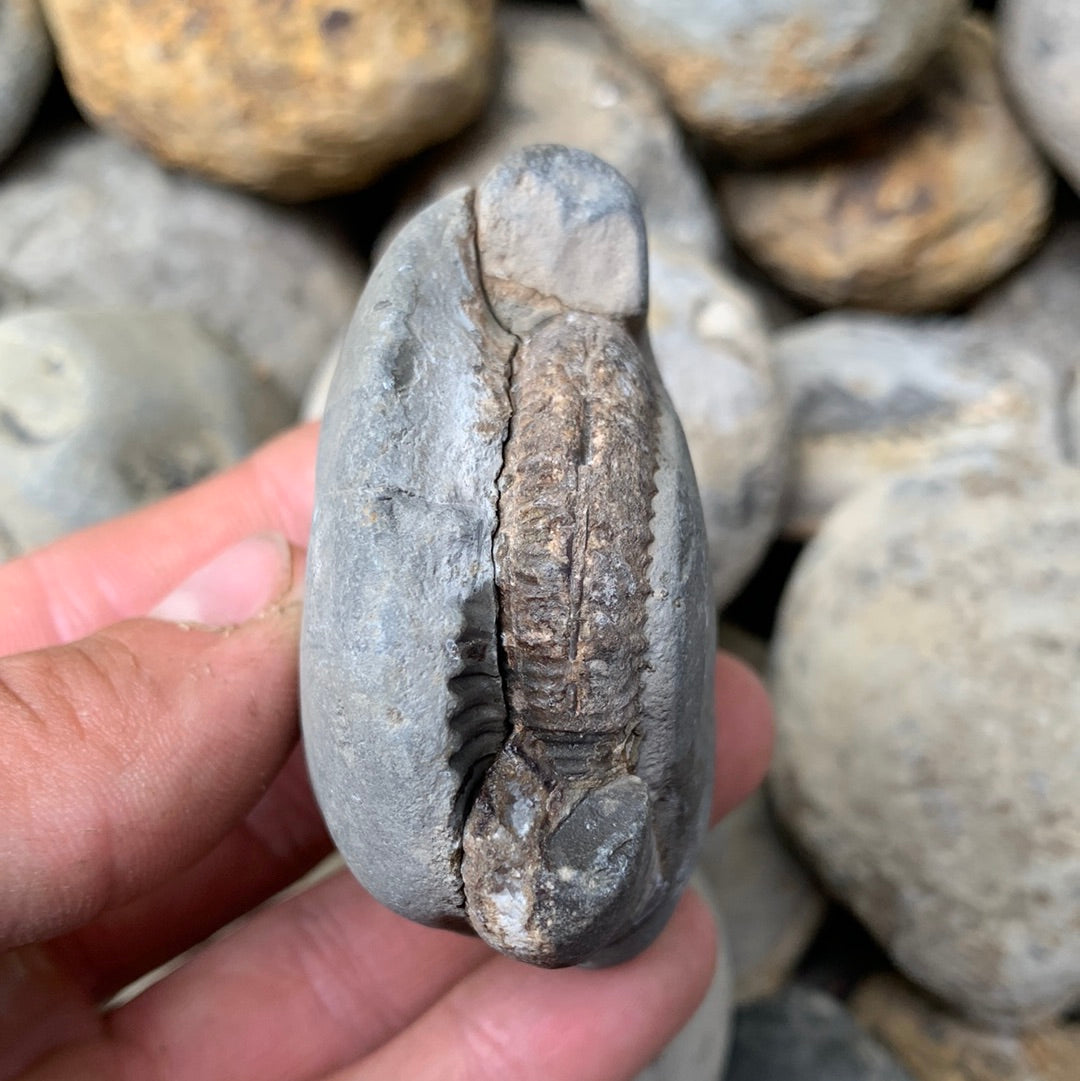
{"x":234,"y":586}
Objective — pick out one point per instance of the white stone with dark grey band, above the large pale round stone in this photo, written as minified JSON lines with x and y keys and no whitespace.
{"x":874,"y":395}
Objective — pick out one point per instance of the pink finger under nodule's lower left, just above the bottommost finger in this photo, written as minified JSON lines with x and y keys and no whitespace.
{"x":298,"y":991}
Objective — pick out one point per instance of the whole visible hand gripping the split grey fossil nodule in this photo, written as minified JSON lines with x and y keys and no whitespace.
{"x":152,"y":791}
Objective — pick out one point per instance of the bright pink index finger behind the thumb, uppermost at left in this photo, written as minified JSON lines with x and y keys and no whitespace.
{"x":122,"y":569}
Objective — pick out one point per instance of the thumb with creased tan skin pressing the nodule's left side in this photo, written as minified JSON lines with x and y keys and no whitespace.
{"x":130,"y":754}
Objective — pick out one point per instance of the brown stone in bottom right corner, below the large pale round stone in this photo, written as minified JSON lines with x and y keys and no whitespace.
{"x":938,"y":1047}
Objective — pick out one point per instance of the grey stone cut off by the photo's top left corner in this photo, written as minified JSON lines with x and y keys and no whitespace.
{"x":26,"y":64}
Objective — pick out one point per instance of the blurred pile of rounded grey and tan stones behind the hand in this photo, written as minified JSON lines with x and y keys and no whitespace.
{"x":865,"y":275}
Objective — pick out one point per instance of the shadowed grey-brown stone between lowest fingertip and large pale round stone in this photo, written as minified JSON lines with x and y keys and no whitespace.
{"x":771,"y":906}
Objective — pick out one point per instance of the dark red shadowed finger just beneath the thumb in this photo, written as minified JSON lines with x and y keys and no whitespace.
{"x":282,"y":839}
